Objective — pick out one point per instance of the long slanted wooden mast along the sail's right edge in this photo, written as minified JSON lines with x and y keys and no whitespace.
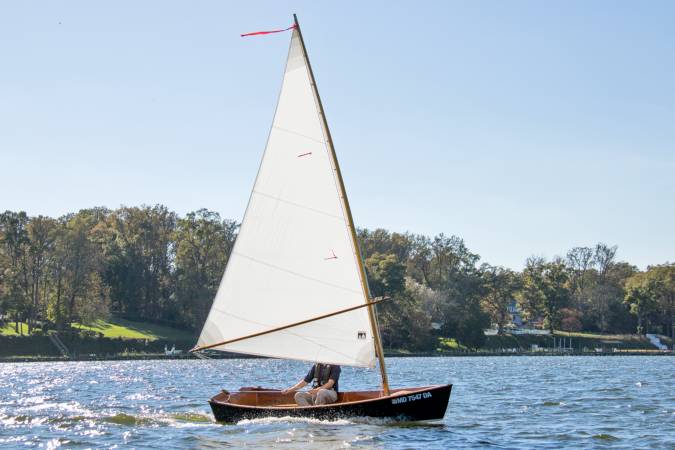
{"x":350,"y":221}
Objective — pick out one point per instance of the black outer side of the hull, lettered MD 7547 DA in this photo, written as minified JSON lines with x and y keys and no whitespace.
{"x":427,"y":403}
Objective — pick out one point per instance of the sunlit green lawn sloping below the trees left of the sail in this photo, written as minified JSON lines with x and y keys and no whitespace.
{"x":121,"y":328}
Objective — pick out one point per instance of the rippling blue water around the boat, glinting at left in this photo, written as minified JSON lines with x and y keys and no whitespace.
{"x":500,"y":402}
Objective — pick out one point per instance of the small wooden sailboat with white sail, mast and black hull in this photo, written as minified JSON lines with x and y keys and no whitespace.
{"x":295,"y":286}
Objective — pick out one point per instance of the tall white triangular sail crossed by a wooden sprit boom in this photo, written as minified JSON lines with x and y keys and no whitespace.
{"x":294,"y":258}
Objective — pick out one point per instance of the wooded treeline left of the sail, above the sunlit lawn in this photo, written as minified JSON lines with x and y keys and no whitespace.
{"x":143,"y":264}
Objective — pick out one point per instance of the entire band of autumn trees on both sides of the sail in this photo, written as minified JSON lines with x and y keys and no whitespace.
{"x":149,"y":264}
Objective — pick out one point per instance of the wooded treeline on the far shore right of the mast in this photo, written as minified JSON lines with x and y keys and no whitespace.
{"x":439,"y":285}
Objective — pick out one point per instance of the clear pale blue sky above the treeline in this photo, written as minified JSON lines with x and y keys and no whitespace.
{"x":524,"y":127}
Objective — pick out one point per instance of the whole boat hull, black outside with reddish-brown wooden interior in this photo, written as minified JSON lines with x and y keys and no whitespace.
{"x":412,"y":404}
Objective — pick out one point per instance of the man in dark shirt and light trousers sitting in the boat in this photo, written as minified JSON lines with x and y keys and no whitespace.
{"x":324,"y":379}
